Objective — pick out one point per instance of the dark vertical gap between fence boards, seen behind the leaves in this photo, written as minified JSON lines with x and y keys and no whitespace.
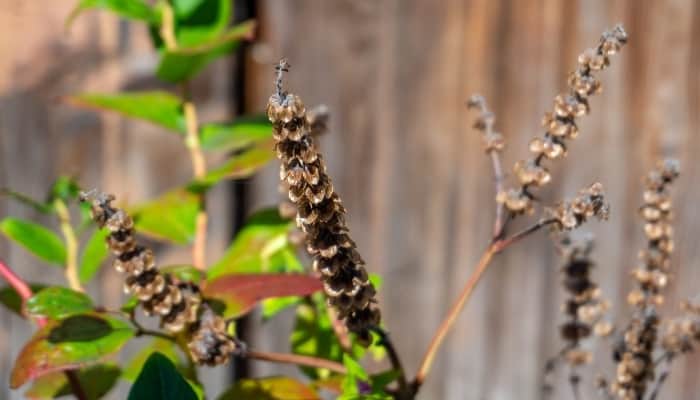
{"x":243,"y":10}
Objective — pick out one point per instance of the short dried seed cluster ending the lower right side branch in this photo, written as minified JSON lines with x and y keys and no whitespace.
{"x":589,"y":203}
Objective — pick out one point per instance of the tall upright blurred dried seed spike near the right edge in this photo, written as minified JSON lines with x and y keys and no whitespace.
{"x":634,"y":355}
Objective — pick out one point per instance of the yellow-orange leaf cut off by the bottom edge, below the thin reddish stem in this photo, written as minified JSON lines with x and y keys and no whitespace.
{"x":271,"y":388}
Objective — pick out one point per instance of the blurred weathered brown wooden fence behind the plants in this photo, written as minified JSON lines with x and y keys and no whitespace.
{"x":409,"y":167}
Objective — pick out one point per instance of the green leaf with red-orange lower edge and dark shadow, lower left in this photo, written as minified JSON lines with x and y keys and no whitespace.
{"x":75,"y":342}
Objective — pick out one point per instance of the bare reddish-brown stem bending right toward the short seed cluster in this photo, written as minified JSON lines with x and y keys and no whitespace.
{"x":494,"y":248}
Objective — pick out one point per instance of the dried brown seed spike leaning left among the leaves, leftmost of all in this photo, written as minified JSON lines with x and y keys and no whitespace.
{"x":176,"y":303}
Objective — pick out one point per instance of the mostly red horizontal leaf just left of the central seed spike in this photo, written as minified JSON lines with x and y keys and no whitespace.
{"x":240,"y":293}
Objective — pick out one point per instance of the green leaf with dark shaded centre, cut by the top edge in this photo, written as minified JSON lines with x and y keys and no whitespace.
{"x":198,"y":21}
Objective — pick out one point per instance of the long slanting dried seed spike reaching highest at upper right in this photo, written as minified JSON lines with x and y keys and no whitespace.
{"x":560,"y":124}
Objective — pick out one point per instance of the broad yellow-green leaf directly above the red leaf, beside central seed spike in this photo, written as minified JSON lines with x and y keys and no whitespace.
{"x":261,"y":246}
